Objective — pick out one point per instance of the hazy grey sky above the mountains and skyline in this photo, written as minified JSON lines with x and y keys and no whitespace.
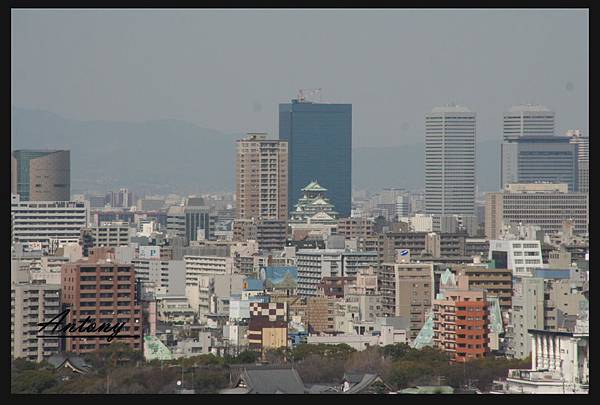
{"x":228,"y":69}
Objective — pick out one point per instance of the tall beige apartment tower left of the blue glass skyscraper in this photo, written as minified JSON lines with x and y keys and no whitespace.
{"x":262,"y":178}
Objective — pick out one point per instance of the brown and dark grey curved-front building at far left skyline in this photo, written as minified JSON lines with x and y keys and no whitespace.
{"x":43,"y":175}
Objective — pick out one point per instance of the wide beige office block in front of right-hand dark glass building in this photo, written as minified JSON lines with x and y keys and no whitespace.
{"x":539,"y":204}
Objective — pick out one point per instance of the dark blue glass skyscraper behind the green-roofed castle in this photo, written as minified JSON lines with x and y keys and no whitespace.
{"x":319,"y":148}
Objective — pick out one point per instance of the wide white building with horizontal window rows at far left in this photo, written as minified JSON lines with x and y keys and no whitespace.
{"x":41,"y":222}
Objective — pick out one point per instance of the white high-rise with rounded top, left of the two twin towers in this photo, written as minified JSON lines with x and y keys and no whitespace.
{"x":450,"y":161}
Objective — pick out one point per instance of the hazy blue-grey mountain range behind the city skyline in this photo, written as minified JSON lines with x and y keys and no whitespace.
{"x":165,"y":156}
